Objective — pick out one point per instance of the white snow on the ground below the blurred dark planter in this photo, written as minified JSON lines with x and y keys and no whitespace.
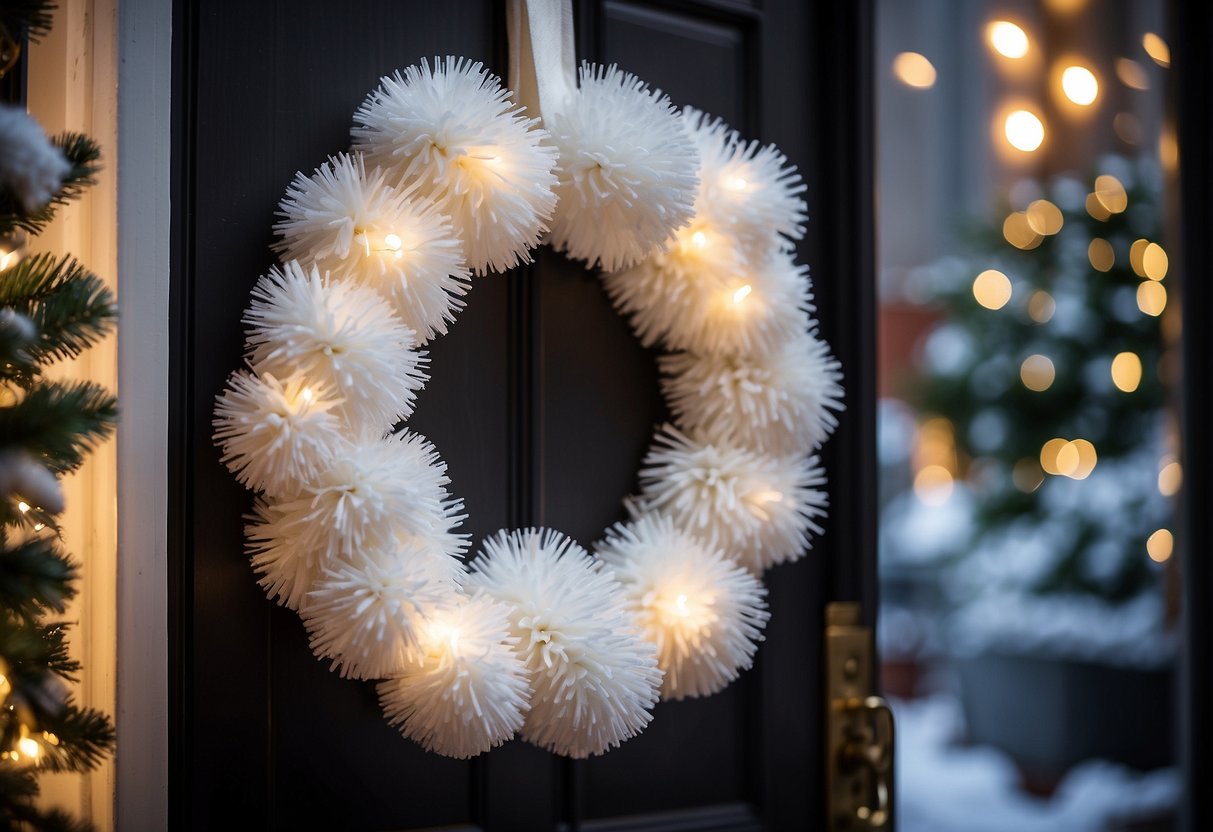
{"x":944,"y":788}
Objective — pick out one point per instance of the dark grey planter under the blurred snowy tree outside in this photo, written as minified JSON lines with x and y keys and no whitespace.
{"x":1050,"y":714}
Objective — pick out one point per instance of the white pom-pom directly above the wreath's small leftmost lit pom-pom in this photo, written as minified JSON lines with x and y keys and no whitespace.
{"x":339,"y":337}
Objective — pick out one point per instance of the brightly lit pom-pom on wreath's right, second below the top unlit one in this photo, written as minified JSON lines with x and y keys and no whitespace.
{"x":730,"y":310}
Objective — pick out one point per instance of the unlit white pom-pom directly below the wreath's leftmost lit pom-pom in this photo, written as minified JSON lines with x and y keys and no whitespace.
{"x":377,"y":494}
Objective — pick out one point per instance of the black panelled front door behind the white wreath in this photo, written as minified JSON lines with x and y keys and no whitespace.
{"x":540,"y":401}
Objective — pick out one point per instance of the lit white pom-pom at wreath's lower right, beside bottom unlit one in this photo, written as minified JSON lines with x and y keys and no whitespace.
{"x":704,"y":613}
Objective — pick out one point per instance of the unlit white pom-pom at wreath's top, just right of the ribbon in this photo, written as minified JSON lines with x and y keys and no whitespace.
{"x":628,"y":170}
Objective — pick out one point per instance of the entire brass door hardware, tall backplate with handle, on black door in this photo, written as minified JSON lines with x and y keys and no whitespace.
{"x":859,"y":730}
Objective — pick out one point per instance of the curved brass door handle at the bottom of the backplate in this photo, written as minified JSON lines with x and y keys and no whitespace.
{"x":869,"y":745}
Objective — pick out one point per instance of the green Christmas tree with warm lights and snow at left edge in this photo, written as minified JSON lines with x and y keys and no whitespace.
{"x":52,"y":309}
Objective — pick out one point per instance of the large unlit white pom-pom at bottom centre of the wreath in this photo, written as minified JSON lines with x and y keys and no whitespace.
{"x":595,"y":679}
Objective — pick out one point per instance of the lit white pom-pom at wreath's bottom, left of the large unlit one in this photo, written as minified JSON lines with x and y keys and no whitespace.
{"x":469,"y":693}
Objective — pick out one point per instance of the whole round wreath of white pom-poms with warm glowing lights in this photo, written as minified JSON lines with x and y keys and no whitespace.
{"x":356,"y":527}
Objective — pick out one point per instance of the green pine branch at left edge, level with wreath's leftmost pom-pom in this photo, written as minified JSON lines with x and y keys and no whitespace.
{"x":60,"y":423}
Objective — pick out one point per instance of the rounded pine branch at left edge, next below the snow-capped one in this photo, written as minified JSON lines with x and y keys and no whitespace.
{"x":70,"y":306}
